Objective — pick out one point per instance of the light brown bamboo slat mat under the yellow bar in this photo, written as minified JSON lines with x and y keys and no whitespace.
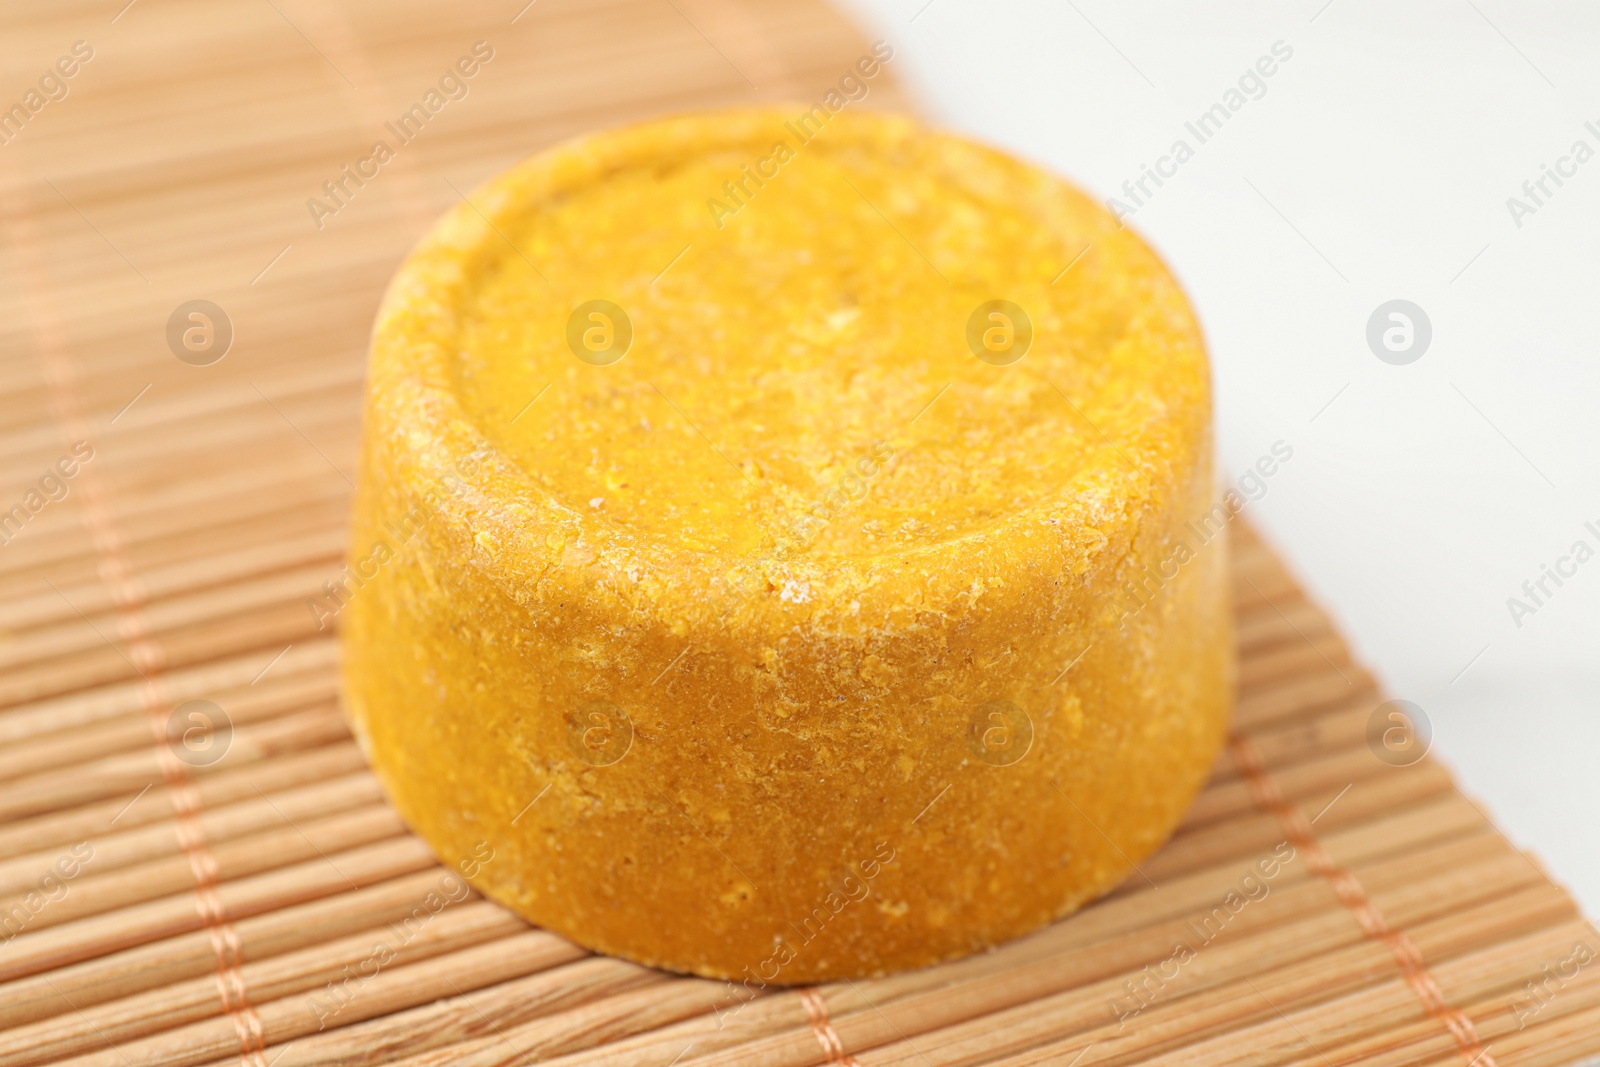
{"x":196,"y":868}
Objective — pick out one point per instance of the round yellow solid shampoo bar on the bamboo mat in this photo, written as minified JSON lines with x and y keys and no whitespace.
{"x":774,"y":548}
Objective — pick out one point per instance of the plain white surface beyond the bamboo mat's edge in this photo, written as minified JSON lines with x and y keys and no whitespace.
{"x":1375,"y":167}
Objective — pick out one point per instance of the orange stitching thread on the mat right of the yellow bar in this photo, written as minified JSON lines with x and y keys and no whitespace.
{"x":1266,"y":796}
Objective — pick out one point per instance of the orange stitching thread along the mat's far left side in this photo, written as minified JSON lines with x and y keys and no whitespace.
{"x":143,"y":649}
